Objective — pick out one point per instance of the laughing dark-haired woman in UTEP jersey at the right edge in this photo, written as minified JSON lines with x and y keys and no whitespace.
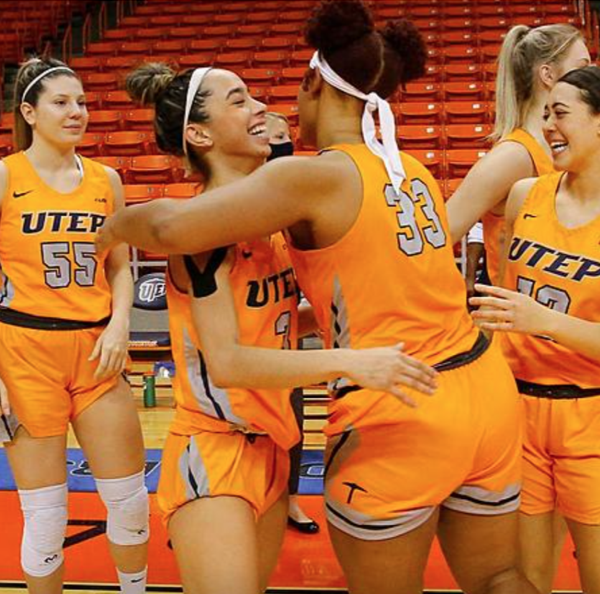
{"x":551,"y":315}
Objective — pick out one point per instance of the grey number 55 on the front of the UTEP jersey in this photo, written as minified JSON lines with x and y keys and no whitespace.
{"x":59,"y":274}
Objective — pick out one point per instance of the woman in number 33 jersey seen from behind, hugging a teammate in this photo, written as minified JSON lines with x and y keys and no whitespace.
{"x":368,"y":236}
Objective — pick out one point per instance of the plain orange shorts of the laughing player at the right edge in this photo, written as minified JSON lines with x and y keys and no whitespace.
{"x":562,"y":457}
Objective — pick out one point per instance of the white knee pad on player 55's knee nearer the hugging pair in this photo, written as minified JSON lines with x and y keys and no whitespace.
{"x":126,"y":501}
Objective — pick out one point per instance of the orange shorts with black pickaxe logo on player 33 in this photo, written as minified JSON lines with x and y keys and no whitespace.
{"x":460,"y":449}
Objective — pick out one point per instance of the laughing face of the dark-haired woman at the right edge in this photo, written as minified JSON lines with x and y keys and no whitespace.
{"x":571,"y":129}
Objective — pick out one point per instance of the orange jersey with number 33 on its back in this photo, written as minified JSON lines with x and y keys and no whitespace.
{"x":392,"y":278}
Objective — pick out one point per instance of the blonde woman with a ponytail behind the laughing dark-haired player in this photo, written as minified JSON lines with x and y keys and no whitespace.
{"x":530,"y":62}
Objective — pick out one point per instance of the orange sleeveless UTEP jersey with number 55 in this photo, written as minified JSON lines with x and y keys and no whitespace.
{"x":49,"y":266}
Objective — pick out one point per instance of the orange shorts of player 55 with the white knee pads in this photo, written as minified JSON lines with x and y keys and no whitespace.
{"x":48,"y":376}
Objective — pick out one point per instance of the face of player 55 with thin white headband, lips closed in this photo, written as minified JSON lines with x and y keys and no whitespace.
{"x":60,"y":116}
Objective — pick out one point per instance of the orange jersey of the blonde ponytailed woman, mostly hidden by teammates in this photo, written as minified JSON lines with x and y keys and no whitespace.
{"x":493,"y":224}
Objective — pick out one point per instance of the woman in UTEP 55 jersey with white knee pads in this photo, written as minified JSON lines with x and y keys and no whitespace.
{"x":64,"y":320}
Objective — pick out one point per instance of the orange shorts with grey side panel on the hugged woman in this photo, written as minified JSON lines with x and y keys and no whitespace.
{"x":233,"y":464}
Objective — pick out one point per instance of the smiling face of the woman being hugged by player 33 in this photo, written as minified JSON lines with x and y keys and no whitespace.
{"x":236,"y":125}
